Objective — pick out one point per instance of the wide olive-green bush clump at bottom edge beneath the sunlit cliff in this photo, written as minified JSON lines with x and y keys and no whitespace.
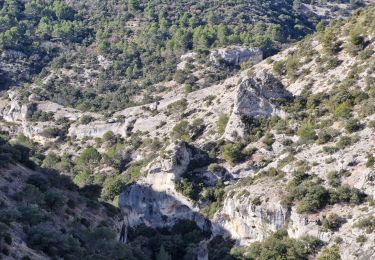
{"x":280,"y":246}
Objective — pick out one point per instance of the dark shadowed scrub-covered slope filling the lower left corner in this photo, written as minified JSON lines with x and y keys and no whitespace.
{"x":55,"y":217}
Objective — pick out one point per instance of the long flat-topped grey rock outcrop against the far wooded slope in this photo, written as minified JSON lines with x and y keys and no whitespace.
{"x":236,"y":55}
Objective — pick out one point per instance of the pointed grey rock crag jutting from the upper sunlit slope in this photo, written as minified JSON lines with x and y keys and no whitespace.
{"x":256,"y":97}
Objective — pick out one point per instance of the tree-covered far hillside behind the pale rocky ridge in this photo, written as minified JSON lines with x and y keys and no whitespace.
{"x":141,"y":41}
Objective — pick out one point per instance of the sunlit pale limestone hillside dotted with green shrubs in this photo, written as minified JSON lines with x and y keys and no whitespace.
{"x":274,"y":158}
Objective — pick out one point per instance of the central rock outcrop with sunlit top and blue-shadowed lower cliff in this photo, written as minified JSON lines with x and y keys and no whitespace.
{"x":153,"y":200}
